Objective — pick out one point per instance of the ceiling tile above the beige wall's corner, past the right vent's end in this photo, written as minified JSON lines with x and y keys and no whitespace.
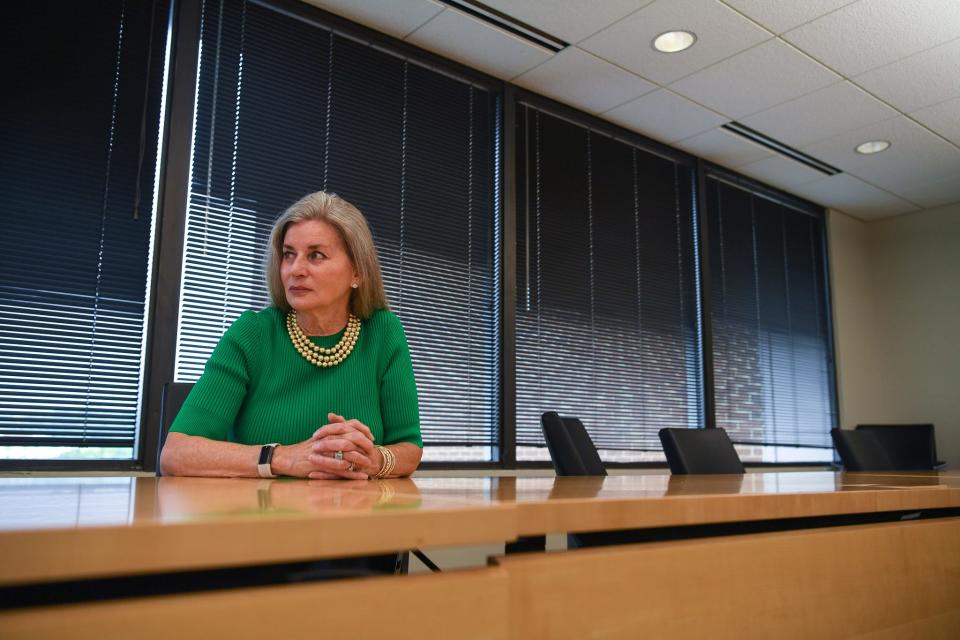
{"x":854,"y":197}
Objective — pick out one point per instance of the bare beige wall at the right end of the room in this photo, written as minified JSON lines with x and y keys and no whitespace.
{"x":896,"y":291}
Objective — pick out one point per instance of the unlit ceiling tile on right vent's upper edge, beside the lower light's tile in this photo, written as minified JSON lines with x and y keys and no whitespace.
{"x":821,"y":114}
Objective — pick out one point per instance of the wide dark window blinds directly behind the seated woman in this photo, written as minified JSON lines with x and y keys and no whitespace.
{"x":286,"y":107}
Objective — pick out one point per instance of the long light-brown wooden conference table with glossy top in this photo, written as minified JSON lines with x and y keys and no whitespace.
{"x":847,"y":566}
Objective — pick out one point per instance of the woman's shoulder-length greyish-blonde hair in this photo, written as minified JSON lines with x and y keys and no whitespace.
{"x":356,"y":237}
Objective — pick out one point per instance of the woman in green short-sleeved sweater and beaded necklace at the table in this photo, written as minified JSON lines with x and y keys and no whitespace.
{"x":319,"y":384}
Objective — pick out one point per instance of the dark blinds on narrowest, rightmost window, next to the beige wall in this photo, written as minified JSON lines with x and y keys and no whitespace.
{"x":771,"y":346}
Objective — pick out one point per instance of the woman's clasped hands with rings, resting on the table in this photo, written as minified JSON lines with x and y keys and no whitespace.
{"x":315,"y":457}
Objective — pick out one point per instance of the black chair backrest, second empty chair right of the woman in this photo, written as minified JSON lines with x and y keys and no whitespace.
{"x":700,"y":451}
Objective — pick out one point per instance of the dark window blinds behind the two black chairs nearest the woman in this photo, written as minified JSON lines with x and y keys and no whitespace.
{"x":607,"y":311}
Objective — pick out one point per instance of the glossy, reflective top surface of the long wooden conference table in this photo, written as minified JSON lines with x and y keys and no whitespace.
{"x":70,"y":502}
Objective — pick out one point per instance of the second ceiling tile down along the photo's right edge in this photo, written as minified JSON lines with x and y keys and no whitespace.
{"x":925,"y":78}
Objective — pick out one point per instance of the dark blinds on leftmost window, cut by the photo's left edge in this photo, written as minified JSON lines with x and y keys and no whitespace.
{"x":79,"y":119}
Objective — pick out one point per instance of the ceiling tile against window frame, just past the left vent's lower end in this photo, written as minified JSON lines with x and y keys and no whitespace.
{"x":584,"y":81}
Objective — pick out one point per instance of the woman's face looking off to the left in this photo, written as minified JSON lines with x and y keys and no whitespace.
{"x":314,"y":268}
